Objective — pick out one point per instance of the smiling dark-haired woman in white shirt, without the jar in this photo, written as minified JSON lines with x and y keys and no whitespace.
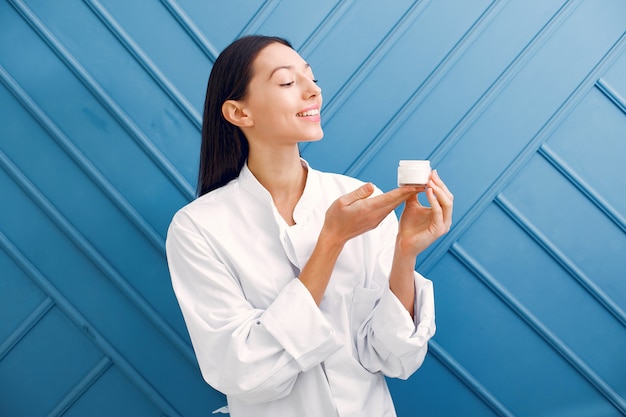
{"x":297,"y":287}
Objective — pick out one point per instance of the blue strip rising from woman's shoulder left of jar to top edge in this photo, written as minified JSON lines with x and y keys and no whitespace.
{"x":423,"y":89}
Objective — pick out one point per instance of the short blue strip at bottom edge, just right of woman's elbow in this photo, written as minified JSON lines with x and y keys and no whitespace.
{"x":468,"y":379}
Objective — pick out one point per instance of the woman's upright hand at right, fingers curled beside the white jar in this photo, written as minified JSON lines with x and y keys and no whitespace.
{"x":420,"y":226}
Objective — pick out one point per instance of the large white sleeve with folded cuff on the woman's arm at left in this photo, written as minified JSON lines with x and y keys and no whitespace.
{"x":251,"y":354}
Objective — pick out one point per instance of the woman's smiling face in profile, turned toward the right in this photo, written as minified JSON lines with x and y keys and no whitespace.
{"x":283,"y":100}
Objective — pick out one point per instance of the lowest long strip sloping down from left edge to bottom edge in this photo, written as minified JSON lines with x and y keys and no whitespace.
{"x":79,"y":321}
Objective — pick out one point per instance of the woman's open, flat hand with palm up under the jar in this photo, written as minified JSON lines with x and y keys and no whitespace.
{"x":355,"y":213}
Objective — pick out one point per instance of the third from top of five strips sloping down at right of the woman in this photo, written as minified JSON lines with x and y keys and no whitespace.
{"x":586,"y":282}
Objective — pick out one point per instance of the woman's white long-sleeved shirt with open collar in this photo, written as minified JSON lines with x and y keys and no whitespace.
{"x":259,"y":336}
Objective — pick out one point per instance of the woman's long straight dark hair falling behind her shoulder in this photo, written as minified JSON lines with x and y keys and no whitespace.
{"x":224,"y":147}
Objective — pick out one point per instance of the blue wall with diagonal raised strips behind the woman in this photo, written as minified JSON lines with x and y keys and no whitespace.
{"x":521,"y":105}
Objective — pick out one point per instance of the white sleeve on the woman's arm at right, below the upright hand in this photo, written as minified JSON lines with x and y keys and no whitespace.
{"x":388,"y":340}
